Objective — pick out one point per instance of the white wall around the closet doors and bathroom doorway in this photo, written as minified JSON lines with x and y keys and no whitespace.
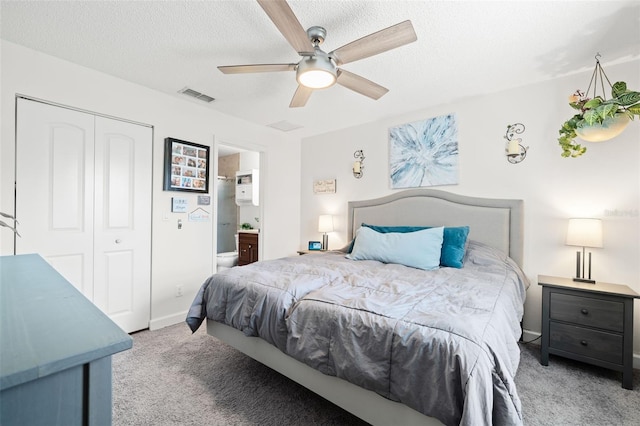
{"x":186,"y":256}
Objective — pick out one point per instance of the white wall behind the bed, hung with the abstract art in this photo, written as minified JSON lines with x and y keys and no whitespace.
{"x":604,"y":183}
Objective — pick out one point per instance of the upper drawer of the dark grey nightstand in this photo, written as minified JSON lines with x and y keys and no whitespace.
{"x":587,"y":311}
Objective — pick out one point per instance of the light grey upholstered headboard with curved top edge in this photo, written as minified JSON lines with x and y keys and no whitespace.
{"x":496,"y":222}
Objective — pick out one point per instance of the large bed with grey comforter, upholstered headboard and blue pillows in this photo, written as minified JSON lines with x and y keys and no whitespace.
{"x":390,"y":343}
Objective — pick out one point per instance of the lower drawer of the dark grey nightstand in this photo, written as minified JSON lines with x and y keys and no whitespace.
{"x":582,"y":341}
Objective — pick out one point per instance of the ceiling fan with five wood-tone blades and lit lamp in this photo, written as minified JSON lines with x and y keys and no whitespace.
{"x":317,"y":69}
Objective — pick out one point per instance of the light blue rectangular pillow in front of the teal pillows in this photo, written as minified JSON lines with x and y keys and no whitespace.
{"x":419,"y":249}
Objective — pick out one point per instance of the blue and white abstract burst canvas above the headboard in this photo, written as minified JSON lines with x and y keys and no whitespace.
{"x":424,"y":153}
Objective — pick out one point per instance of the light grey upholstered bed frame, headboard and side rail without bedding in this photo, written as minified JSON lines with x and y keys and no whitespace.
{"x":496,"y":222}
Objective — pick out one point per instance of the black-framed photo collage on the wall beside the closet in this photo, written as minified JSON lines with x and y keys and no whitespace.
{"x":186,"y":166}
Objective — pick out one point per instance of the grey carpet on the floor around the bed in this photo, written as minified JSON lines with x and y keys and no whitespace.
{"x":172,"y":377}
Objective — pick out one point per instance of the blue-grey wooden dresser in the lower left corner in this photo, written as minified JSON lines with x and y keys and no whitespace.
{"x":55,"y":348}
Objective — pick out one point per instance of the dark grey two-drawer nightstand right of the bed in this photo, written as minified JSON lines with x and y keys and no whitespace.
{"x":592,"y":323}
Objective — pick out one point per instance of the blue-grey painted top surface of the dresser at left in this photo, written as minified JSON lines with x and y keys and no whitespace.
{"x":46,"y":324}
